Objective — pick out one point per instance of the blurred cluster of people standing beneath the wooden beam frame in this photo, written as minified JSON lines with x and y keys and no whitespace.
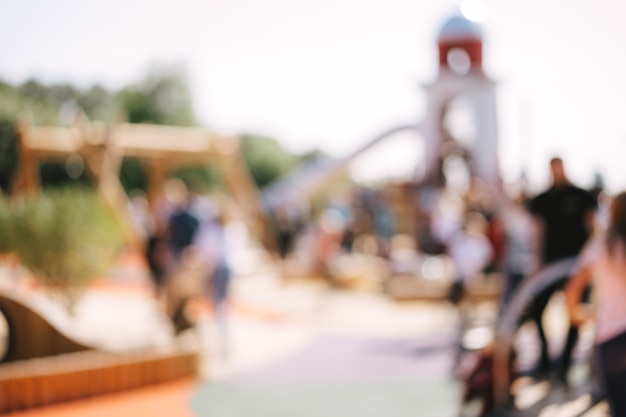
{"x":187,"y":254}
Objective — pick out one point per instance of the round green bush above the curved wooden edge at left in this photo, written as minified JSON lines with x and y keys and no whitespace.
{"x":66,"y":237}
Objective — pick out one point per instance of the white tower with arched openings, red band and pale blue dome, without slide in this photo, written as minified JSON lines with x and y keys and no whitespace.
{"x":461,"y":80}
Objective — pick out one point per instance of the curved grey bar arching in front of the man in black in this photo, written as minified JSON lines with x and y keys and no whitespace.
{"x":509,"y":320}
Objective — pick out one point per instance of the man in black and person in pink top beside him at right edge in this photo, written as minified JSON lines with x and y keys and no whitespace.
{"x":568,"y":223}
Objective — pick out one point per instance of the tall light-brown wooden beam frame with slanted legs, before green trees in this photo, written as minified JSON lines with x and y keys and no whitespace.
{"x":161,"y":149}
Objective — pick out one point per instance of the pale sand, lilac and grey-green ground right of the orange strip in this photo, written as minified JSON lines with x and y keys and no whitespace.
{"x":320,"y":352}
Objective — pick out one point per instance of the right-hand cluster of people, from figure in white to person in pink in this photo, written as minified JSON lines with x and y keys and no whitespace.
{"x":523,"y":236}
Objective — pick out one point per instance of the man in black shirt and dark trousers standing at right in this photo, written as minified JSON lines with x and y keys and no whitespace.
{"x":564,"y":220}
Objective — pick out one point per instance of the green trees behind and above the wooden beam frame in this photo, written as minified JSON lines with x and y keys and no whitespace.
{"x":161,"y":97}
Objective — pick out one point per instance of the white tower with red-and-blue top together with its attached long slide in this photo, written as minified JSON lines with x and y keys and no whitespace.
{"x":462,"y":86}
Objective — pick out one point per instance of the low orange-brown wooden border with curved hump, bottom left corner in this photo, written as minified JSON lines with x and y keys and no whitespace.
{"x":46,"y":359}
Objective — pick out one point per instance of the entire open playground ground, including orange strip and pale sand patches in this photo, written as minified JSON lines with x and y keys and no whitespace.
{"x":356,"y":350}
